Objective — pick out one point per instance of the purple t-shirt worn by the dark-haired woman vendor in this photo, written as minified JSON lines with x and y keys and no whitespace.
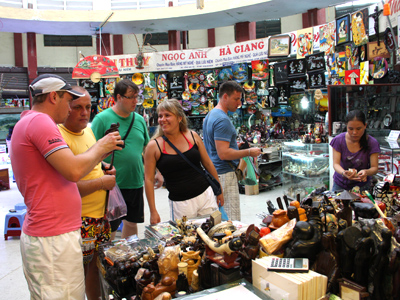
{"x":348,"y":160}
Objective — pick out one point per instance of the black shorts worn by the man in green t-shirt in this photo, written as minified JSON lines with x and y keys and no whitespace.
{"x":135,"y":204}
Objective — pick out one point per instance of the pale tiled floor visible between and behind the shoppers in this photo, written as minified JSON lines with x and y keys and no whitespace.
{"x":12,"y":281}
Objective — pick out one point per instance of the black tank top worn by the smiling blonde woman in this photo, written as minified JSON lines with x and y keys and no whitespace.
{"x":182,"y":181}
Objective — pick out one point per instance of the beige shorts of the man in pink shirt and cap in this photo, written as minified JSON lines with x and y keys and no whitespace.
{"x":53,"y":266}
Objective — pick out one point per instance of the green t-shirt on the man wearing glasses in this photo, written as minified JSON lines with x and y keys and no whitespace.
{"x":128,"y":162}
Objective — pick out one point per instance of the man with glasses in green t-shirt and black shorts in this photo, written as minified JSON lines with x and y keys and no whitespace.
{"x":128,"y":162}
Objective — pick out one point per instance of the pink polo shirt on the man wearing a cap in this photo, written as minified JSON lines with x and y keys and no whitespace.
{"x":53,"y":203}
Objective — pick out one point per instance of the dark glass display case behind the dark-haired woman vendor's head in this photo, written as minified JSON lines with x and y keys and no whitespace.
{"x":379,"y":102}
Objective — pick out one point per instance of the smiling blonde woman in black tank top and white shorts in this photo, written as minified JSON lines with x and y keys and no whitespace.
{"x":190,"y":194}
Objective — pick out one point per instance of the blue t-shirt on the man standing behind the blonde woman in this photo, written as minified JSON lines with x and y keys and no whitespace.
{"x":218,"y":126}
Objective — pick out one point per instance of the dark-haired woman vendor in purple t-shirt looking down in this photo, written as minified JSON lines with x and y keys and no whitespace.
{"x":355,"y":154}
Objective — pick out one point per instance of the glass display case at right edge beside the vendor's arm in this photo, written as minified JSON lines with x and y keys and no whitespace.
{"x":388,"y":159}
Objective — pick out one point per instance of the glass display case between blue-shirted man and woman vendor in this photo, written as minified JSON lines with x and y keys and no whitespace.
{"x":305,"y":167}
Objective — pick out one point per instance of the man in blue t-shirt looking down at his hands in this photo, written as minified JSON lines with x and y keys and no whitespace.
{"x":220,"y":142}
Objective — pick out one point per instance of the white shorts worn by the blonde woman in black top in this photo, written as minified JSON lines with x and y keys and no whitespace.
{"x":203,"y":204}
